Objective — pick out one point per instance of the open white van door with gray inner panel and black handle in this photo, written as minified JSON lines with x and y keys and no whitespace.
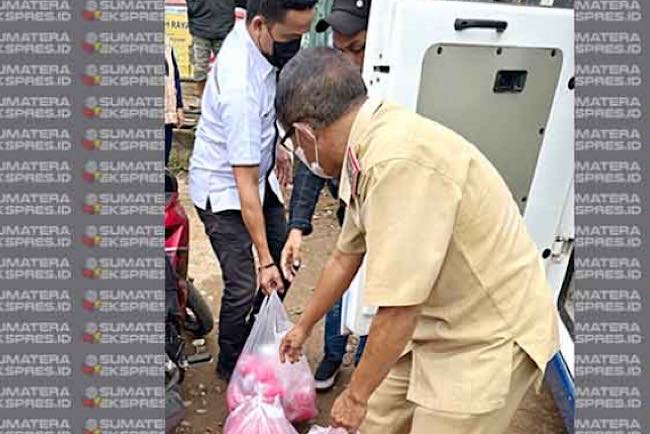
{"x":502,"y":76}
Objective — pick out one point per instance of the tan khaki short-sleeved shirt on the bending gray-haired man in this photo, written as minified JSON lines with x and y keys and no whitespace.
{"x":440,"y":229}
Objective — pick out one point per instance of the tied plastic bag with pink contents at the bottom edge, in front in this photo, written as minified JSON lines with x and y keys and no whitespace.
{"x":255,"y":416}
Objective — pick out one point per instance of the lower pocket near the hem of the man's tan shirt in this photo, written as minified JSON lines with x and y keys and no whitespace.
{"x":471,"y":382}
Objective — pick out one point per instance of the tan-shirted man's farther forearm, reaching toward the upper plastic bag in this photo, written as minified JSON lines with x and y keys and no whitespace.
{"x":334,"y":280}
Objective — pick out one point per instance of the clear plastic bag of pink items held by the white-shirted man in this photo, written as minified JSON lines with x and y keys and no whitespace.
{"x":259,"y":372}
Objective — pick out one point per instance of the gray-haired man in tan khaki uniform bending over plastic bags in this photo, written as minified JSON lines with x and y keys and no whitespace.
{"x":465,"y":322}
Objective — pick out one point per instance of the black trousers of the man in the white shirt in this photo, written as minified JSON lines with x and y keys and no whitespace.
{"x":241,"y":299}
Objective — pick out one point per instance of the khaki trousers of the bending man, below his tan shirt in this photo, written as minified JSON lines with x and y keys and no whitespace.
{"x":389,"y":412}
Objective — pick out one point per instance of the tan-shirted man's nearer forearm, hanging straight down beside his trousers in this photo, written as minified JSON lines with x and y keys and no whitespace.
{"x":390,"y":331}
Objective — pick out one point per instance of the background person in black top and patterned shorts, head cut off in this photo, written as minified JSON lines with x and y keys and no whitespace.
{"x":209,"y":21}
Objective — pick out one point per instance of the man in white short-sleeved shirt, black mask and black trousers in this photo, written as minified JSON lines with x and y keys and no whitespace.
{"x":232,"y":180}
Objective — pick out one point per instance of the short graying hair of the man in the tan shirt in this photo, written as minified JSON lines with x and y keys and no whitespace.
{"x":318,"y":85}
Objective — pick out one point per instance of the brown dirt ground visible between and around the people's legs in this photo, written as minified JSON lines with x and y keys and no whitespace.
{"x":204,"y":394}
